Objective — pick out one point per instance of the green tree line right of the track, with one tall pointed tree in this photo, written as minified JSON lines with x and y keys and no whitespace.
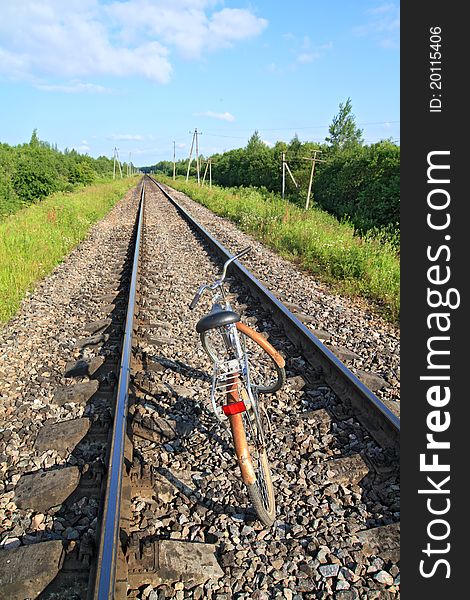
{"x":356,"y":181}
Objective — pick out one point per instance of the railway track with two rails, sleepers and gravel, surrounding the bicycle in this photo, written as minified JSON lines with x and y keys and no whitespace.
{"x":174,"y":521}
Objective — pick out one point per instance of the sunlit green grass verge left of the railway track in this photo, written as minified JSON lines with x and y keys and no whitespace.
{"x":34,"y":240}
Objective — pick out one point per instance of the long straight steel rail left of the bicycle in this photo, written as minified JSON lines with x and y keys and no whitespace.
{"x":110,"y":524}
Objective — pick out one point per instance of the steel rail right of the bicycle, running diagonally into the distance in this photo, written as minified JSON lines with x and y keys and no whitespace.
{"x":374,"y":414}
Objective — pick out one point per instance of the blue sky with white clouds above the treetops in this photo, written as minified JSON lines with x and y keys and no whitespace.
{"x":140,"y":74}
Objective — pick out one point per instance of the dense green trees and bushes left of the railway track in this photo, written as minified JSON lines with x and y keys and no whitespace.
{"x":29,"y":172}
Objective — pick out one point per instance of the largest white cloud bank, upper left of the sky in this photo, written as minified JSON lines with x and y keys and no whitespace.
{"x":85,"y":38}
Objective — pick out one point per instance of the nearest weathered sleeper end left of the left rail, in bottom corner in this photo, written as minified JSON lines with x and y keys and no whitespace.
{"x":26,"y":571}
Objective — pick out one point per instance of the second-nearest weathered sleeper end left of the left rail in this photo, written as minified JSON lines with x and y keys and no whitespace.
{"x":41,"y":490}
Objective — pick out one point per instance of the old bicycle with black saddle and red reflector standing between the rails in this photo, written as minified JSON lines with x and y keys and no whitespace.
{"x":245,"y":365}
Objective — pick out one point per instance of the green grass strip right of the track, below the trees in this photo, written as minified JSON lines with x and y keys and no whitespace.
{"x":313,"y":239}
